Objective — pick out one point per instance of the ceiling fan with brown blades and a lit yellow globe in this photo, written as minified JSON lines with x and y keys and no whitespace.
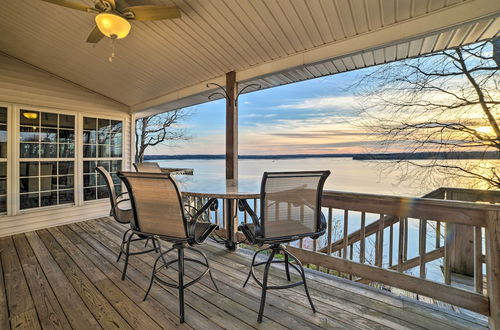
{"x":113,"y":16}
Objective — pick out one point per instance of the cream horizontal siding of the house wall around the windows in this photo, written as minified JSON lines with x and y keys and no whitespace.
{"x":24,"y":85}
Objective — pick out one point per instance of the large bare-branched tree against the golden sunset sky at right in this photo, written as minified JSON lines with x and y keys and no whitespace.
{"x":443,"y":102}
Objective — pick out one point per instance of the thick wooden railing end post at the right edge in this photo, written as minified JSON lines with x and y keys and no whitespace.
{"x":493,"y":266}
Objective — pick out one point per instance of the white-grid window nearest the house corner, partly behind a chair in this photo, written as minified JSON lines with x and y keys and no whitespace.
{"x":102,"y":146}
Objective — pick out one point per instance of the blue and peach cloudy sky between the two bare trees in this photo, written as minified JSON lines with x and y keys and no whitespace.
{"x":313,"y":116}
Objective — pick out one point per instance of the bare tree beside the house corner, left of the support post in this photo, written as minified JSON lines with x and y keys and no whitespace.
{"x":153,"y":130}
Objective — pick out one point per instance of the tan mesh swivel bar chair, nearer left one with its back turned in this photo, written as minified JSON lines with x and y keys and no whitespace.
{"x":158,"y":210}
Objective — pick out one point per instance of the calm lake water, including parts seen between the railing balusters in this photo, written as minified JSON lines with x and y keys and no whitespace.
{"x":347,"y":175}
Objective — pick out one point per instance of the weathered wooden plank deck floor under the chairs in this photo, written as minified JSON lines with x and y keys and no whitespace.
{"x":67,"y":277}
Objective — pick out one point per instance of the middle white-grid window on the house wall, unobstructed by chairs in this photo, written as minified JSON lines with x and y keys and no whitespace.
{"x":46,"y":152}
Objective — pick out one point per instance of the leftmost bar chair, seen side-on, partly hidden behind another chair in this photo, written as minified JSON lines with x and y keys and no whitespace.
{"x":123,"y":215}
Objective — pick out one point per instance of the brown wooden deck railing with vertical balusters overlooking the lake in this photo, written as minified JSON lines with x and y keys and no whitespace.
{"x":394,"y":240}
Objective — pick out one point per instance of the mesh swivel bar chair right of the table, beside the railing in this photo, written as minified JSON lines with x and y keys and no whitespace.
{"x":290,"y":210}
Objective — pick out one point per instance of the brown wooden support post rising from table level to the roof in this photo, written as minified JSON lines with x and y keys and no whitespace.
{"x":231,"y":127}
